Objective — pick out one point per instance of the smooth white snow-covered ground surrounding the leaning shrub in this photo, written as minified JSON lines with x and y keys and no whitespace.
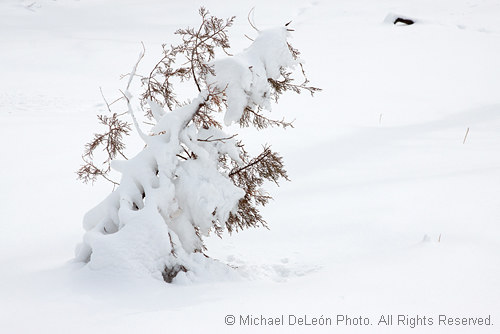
{"x":392,"y":209}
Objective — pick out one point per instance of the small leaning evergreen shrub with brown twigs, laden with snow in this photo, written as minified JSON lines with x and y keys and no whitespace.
{"x":192,"y":177}
